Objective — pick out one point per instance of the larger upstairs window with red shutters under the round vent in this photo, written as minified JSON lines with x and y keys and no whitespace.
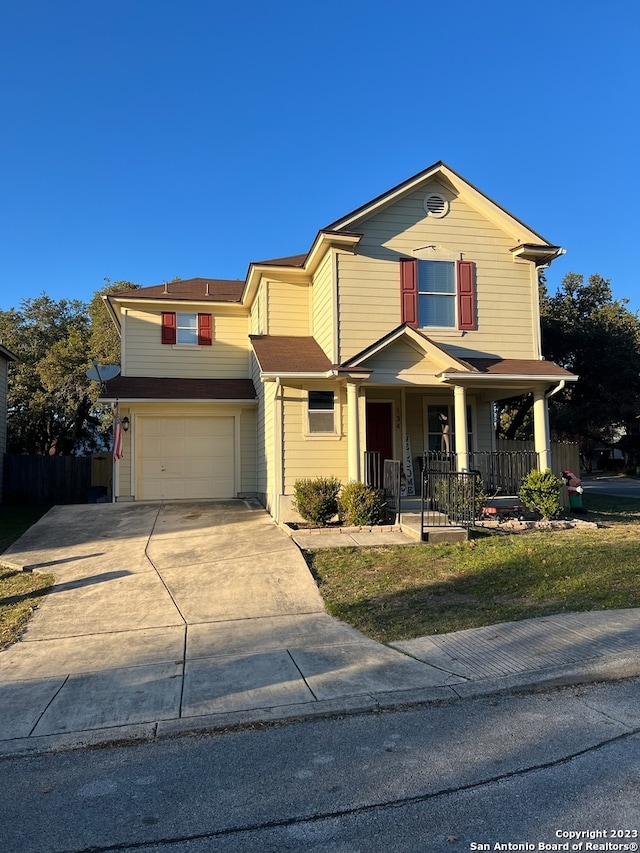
{"x":438,"y":294}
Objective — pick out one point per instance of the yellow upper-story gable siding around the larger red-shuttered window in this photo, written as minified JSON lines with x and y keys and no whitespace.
{"x":505,"y":292}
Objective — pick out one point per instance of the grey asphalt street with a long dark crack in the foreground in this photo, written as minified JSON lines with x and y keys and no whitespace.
{"x":459,"y":776}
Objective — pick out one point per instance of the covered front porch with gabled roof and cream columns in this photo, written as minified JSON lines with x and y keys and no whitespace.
{"x":411,"y":399}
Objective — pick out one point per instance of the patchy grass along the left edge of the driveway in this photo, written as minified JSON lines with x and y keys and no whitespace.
{"x":20,"y":592}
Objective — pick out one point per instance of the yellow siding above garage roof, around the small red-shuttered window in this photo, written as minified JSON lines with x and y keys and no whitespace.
{"x":226,"y":358}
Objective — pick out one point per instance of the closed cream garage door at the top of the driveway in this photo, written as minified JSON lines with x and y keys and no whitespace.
{"x":190,"y":457}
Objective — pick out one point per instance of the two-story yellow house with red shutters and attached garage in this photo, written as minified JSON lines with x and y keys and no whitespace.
{"x":406,"y":319}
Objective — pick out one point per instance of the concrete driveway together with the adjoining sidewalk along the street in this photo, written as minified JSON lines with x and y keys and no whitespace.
{"x":168,"y":618}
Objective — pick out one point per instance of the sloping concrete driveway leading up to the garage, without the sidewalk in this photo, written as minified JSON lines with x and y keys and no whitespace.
{"x":164,"y":614}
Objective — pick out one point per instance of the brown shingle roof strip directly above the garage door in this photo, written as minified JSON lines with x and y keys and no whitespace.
{"x":159,"y":388}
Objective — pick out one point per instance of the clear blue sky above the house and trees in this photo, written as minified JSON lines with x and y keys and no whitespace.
{"x":147,"y":139}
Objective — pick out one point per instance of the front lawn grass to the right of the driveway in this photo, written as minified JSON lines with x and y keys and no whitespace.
{"x":397,"y":592}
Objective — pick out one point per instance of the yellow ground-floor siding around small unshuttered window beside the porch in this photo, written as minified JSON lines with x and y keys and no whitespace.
{"x":315,"y":456}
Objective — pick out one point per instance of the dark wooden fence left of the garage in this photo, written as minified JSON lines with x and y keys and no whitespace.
{"x":55,"y":479}
